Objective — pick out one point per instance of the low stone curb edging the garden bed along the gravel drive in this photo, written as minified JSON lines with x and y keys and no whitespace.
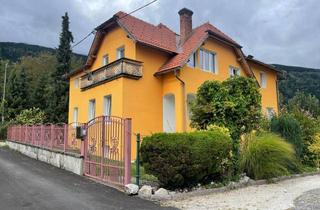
{"x":236,"y":185}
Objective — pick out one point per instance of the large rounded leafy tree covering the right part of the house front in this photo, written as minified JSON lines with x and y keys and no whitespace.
{"x":234,"y":103}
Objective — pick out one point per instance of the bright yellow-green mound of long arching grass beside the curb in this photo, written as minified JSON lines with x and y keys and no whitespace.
{"x":267,"y":155}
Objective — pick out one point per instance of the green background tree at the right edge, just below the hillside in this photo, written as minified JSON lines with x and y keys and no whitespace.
{"x":304,"y":103}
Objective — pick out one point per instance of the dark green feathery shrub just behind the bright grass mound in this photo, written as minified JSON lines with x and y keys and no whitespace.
{"x":289,"y":128}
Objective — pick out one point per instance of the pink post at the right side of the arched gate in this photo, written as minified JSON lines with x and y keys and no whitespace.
{"x":127,"y":151}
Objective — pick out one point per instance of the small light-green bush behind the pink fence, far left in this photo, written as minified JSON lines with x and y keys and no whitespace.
{"x":30,"y":117}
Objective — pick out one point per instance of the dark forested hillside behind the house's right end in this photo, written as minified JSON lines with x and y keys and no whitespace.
{"x":298,"y":79}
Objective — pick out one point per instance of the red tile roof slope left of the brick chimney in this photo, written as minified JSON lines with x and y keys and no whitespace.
{"x":159,"y":36}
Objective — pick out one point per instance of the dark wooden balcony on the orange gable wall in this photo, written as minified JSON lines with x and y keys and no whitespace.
{"x":123,"y":67}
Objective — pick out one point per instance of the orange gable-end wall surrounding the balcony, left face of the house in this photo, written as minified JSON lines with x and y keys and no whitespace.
{"x":112,"y":41}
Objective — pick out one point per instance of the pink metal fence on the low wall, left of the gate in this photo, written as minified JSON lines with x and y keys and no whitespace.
{"x":61,"y":137}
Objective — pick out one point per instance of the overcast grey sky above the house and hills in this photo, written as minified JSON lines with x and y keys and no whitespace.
{"x":285,"y":32}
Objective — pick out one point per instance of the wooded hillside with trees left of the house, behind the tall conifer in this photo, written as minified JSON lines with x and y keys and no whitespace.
{"x":29,"y":76}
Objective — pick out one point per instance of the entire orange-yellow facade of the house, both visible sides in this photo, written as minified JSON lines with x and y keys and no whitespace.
{"x":142,"y":99}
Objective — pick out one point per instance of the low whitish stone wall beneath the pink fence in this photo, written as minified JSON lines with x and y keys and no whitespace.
{"x":67,"y":161}
